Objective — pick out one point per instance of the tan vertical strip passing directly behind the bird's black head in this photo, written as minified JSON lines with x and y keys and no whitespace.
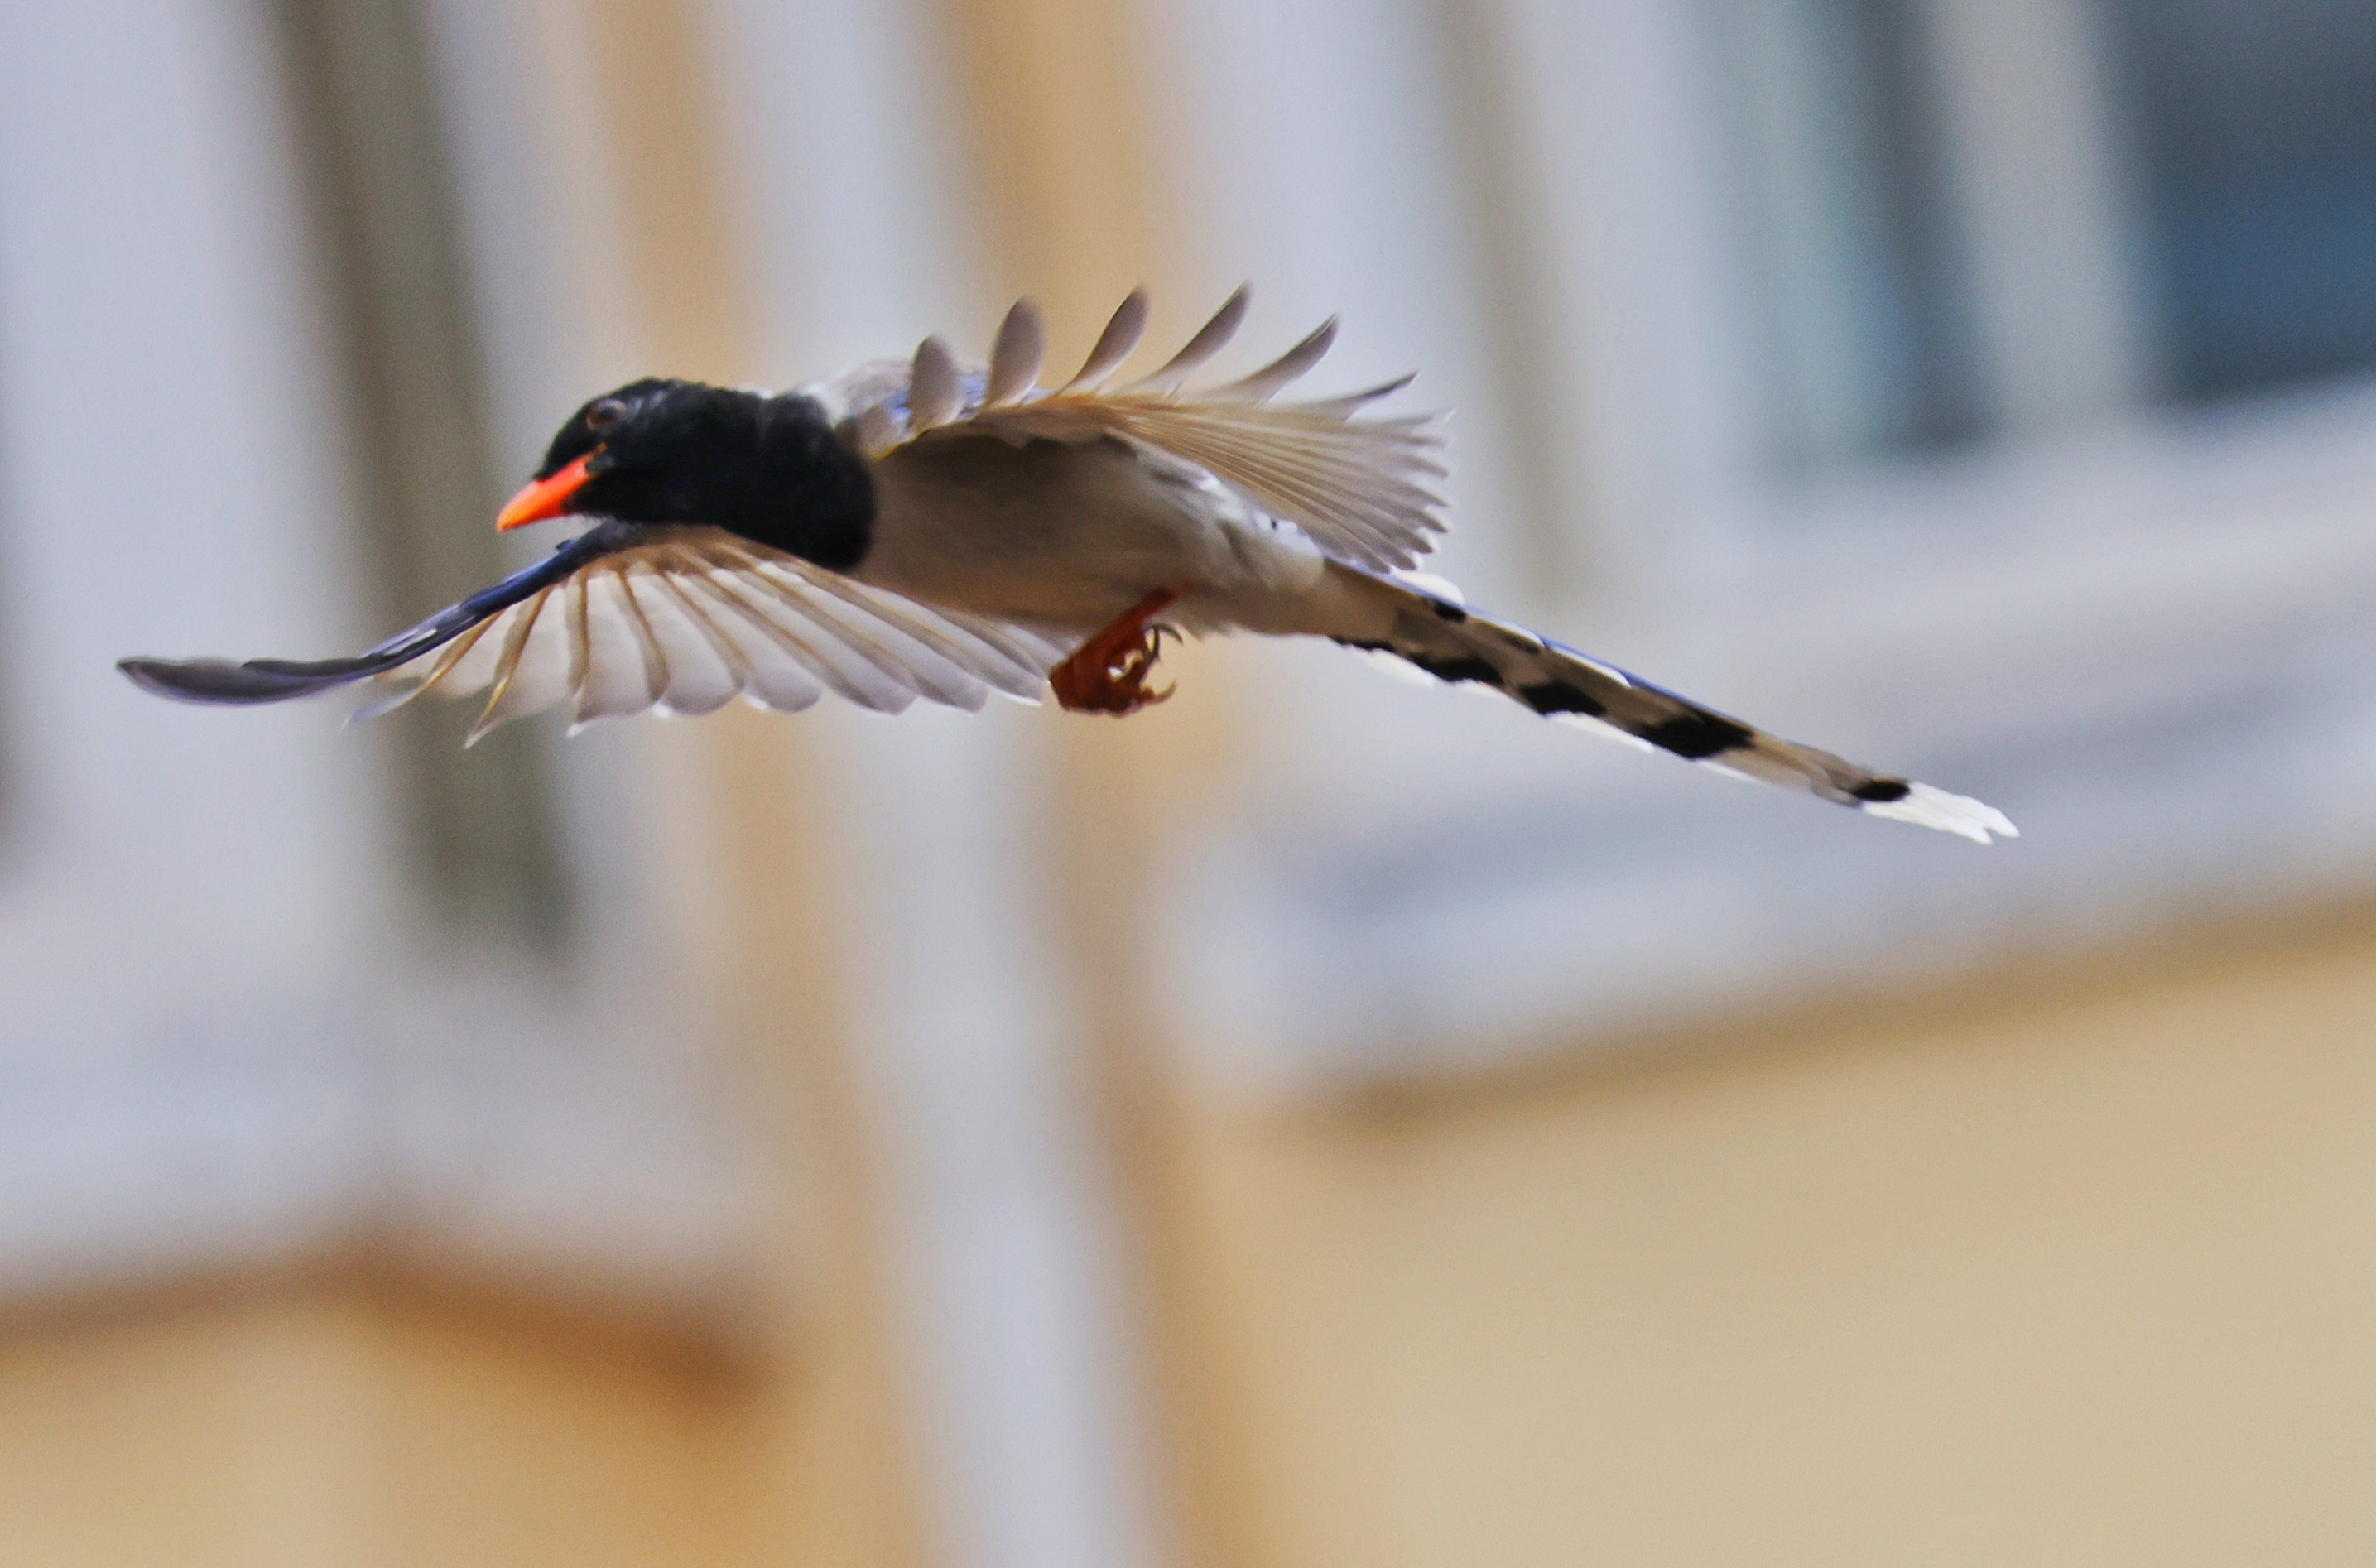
{"x":747,"y":818}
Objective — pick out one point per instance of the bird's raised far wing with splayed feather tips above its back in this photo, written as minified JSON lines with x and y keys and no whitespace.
{"x":1356,"y":486}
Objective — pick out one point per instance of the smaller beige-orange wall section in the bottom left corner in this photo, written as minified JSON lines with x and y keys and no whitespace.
{"x":331,"y":1427}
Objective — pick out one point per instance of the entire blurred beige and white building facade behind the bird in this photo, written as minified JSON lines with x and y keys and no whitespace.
{"x":1322,"y":1120}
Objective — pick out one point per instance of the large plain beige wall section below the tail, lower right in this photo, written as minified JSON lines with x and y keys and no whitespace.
{"x":2071,"y":1272}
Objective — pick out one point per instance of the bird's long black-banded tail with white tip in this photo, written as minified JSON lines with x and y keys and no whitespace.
{"x":1451,"y":643}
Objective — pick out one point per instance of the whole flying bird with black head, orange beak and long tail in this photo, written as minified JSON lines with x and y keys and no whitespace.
{"x":925,"y":529}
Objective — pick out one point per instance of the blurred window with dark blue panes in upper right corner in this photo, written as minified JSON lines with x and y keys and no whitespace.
{"x":2237,"y":206}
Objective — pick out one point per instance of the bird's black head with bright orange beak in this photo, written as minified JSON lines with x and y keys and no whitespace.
{"x":678,"y":453}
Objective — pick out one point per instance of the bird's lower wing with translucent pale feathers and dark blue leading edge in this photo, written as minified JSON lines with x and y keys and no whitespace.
{"x":678,"y":621}
